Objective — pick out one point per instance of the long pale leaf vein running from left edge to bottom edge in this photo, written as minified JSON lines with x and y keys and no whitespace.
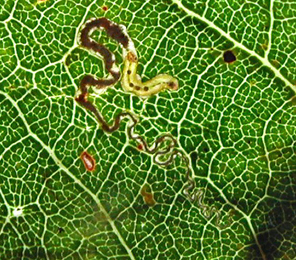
{"x":65,"y":169}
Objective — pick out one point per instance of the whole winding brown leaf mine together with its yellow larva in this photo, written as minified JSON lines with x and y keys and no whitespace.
{"x":131,"y":82}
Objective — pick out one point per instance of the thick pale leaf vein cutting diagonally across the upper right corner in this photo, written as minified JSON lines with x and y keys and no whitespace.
{"x":264,"y":60}
